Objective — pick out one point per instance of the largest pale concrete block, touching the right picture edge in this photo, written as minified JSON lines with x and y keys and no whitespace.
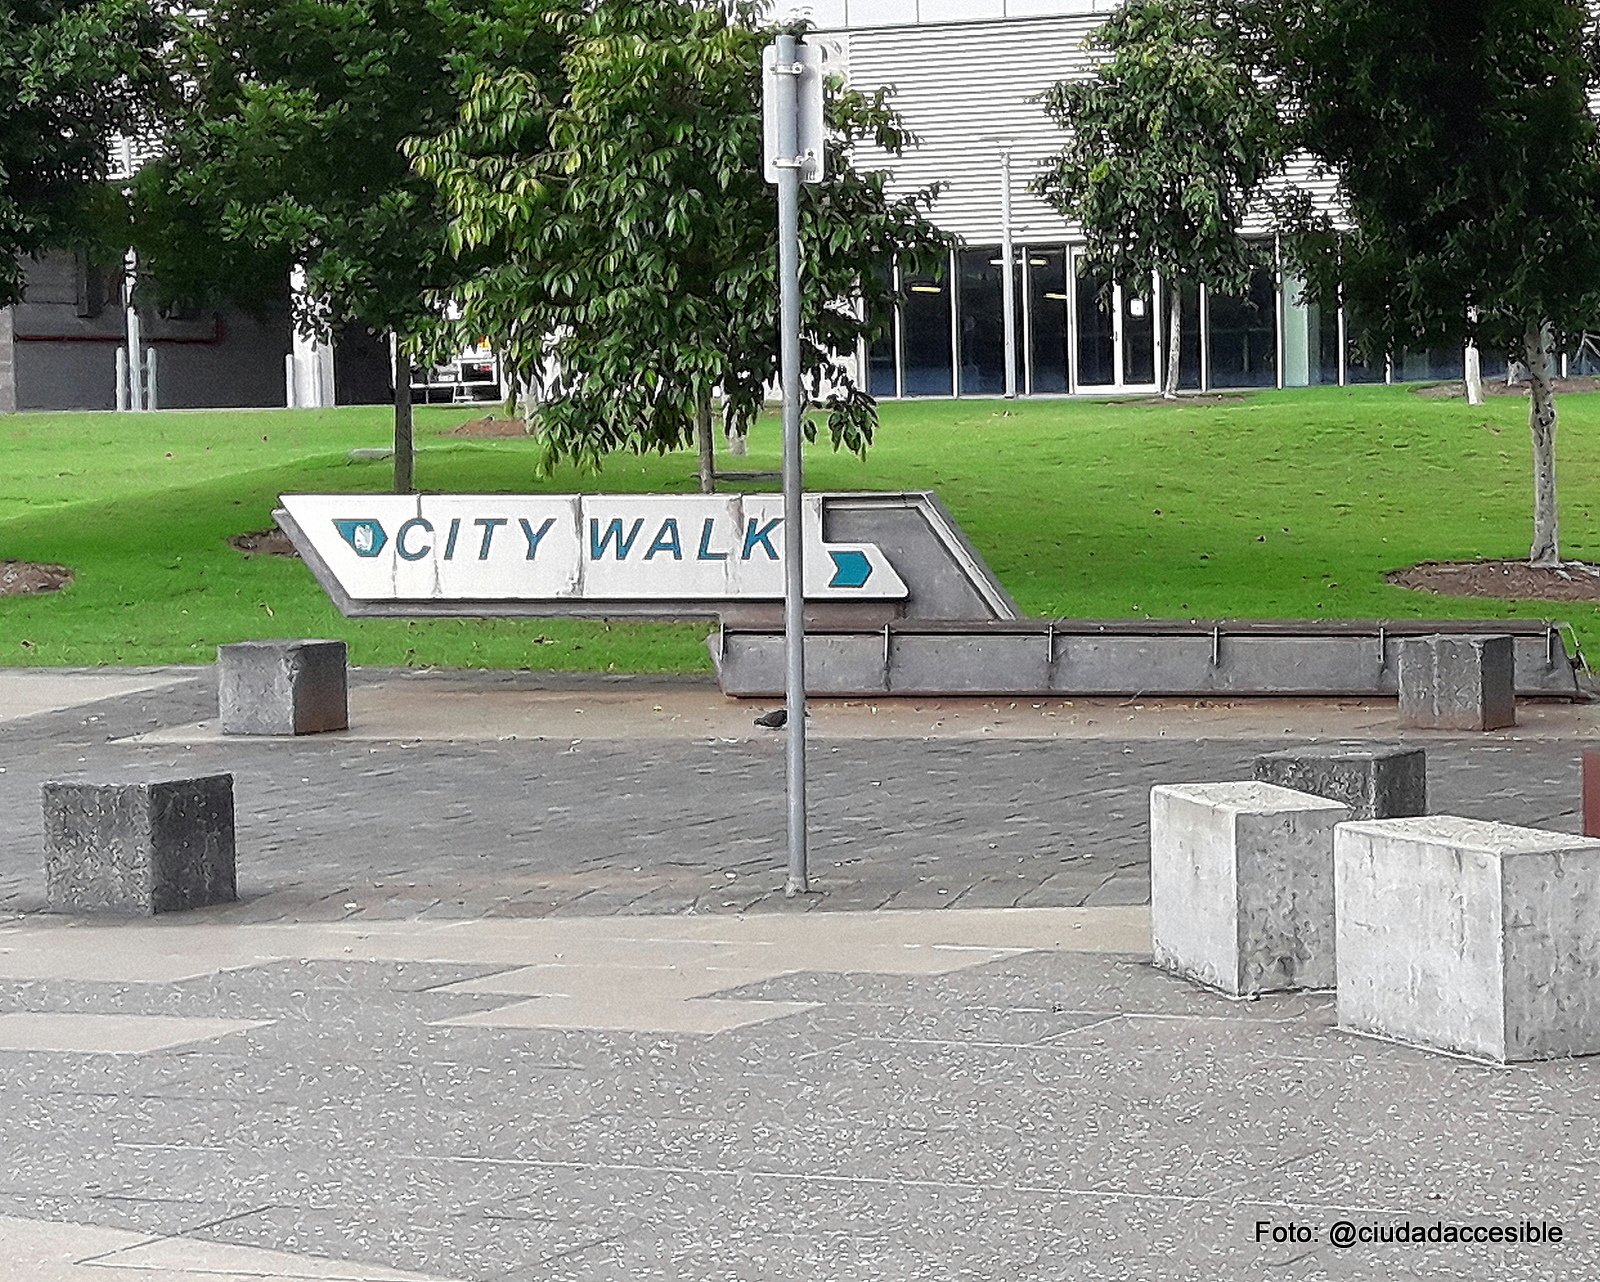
{"x":1470,"y":935}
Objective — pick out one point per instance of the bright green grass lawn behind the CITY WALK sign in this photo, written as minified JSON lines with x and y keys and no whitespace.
{"x":1286,"y":505}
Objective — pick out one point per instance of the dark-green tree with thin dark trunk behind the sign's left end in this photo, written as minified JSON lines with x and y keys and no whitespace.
{"x":287,"y":153}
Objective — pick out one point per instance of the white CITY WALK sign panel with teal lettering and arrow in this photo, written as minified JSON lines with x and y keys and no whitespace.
{"x":593,"y":548}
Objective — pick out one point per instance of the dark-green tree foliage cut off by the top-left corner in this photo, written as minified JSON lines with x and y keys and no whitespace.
{"x":74,"y":74}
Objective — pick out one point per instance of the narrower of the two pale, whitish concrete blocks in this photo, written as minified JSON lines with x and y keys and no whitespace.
{"x":1242,"y":886}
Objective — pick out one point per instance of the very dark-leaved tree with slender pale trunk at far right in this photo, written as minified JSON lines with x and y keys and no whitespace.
{"x":1470,"y":164}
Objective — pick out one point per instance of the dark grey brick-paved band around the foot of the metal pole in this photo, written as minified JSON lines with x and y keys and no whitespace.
{"x":460,"y":830}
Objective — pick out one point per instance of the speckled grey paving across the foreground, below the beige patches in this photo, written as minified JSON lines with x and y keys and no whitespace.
{"x":1142,"y":1144}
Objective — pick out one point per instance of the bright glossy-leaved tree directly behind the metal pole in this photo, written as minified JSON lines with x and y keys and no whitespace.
{"x":626,"y":234}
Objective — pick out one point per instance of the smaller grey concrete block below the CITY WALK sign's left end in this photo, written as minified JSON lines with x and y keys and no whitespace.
{"x":284,"y":687}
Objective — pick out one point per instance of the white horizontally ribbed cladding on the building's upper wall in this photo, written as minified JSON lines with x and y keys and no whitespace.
{"x":964,"y":89}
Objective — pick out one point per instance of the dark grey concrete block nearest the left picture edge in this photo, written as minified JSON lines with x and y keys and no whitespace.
{"x":140,"y":847}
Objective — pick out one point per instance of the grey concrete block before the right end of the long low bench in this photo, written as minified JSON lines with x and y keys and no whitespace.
{"x":1466,"y":683}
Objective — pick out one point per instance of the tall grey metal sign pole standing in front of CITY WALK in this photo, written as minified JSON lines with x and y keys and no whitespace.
{"x":794,"y":479}
